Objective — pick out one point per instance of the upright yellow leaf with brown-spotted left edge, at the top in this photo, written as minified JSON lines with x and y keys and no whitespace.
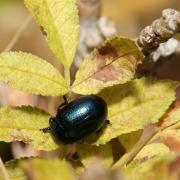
{"x":59,"y":22}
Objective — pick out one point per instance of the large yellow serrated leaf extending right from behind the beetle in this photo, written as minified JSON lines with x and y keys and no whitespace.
{"x":133,"y":105}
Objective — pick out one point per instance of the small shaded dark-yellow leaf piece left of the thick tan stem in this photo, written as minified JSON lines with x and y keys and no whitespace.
{"x":129,"y":140}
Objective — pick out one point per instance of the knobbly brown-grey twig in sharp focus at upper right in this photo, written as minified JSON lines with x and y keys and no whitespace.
{"x":159,"y":31}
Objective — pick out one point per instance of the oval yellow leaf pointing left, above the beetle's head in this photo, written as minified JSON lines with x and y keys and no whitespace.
{"x":29,"y":73}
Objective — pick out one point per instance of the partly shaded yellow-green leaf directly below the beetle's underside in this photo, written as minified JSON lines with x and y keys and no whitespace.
{"x":88,"y":154}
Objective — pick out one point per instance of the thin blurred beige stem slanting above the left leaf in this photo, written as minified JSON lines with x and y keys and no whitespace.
{"x":18,"y":34}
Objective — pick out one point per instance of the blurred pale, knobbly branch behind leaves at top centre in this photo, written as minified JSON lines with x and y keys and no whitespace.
{"x":94,"y":28}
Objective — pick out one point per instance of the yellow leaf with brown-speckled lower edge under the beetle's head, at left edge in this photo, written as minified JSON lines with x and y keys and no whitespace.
{"x":24,"y":124}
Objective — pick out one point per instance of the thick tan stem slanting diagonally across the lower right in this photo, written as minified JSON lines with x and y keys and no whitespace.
{"x":128,"y":157}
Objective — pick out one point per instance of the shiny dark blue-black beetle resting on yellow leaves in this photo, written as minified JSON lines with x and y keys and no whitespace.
{"x":78,"y":119}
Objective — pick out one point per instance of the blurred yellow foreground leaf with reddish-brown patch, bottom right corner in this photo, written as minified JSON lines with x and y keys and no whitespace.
{"x":164,"y":168}
